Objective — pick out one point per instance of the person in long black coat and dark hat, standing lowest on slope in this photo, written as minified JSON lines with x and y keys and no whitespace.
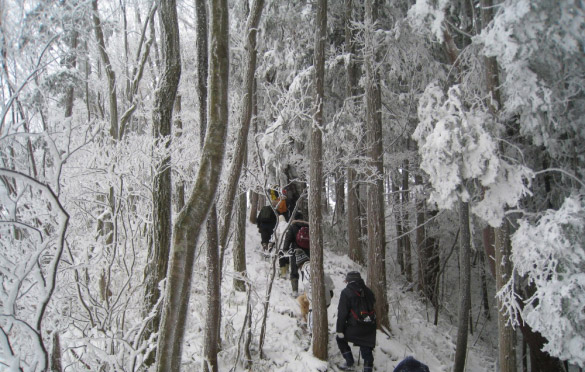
{"x":349,"y":329}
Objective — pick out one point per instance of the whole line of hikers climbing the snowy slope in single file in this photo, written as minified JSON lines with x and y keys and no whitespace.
{"x":356,"y":319}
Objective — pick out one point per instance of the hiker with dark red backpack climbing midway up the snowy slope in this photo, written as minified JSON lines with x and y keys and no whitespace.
{"x":297,"y":236}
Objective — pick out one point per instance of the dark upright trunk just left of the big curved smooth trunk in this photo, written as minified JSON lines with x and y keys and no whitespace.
{"x":162,"y":117}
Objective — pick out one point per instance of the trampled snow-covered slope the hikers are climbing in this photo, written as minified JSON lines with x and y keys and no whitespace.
{"x":287,"y":343}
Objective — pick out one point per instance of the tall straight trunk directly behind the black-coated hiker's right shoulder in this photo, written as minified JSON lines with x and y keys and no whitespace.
{"x":375,"y":205}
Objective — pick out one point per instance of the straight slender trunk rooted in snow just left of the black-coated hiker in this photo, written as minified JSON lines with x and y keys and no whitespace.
{"x":320,"y":325}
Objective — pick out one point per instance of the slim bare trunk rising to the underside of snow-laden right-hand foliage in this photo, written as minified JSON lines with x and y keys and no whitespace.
{"x":465,"y":288}
